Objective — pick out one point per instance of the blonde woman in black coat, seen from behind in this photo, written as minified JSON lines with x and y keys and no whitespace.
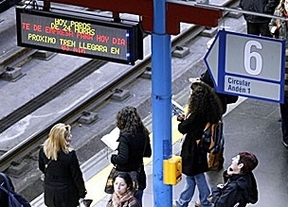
{"x":63,"y":183}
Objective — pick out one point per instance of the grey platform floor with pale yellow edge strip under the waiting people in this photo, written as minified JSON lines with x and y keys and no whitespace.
{"x":250,"y":125}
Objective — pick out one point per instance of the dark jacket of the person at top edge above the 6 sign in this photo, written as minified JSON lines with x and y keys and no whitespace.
{"x":259,"y":6}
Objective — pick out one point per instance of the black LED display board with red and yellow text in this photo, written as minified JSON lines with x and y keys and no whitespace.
{"x":75,"y":35}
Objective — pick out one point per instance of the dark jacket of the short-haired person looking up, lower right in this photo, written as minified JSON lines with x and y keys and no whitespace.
{"x":239,"y":188}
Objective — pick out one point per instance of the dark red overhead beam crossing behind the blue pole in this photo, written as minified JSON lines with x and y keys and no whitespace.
{"x":176,"y":12}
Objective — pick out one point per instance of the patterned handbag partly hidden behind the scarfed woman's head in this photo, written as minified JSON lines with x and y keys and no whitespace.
{"x":109,"y":188}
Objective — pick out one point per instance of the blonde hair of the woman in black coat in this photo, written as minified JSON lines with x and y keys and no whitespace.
{"x":57,"y":141}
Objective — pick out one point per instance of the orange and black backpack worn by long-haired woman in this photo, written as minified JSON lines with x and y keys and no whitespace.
{"x":212,"y":138}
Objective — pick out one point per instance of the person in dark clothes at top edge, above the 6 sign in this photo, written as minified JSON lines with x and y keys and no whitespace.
{"x":258,"y":25}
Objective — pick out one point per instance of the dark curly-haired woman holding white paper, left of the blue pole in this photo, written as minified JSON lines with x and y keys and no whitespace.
{"x":134,"y":144}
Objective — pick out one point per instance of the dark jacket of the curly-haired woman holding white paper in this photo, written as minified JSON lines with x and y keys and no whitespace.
{"x":131,"y":150}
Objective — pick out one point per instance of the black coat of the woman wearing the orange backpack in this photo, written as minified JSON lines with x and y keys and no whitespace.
{"x":194,"y":159}
